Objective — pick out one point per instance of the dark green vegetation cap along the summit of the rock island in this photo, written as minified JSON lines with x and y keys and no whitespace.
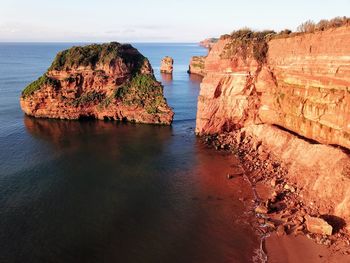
{"x":91,"y":55}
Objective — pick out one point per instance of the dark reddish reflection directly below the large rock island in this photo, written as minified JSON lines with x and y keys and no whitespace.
{"x":115,"y":134}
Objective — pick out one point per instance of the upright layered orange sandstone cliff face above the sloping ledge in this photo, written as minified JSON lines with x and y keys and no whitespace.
{"x":303,"y":87}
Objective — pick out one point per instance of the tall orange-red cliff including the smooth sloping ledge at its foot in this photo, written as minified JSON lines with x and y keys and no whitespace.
{"x":291,"y":95}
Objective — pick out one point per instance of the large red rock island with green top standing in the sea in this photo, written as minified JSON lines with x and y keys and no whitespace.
{"x":109,"y":81}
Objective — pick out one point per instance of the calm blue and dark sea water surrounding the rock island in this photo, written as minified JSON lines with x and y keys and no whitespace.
{"x":106,"y":192}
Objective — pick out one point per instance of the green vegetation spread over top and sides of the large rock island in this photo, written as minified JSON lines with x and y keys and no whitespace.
{"x":139,"y":89}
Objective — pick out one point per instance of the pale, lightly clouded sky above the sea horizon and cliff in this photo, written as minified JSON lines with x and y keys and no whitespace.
{"x":153,"y":20}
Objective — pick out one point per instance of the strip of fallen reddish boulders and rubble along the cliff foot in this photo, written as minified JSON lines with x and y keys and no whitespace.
{"x":279,"y":206}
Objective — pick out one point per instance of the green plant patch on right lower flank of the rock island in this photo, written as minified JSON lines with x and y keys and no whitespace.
{"x":143,"y":90}
